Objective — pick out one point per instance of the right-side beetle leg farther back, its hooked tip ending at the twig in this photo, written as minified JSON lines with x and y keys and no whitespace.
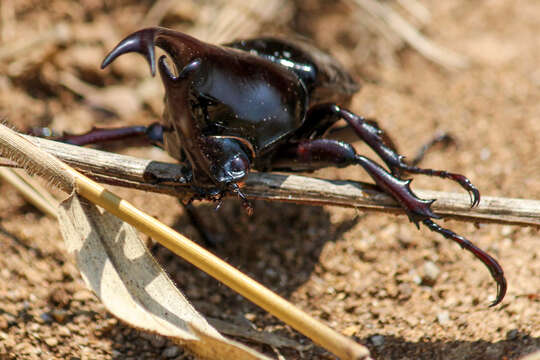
{"x":382,"y":145}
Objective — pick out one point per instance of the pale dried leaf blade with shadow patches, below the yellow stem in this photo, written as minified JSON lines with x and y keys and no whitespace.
{"x":117,"y":266}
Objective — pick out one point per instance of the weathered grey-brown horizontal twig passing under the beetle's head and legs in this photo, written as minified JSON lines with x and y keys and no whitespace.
{"x":151,"y":175}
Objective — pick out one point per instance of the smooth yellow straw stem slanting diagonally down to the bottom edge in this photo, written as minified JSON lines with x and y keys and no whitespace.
{"x":321,"y":334}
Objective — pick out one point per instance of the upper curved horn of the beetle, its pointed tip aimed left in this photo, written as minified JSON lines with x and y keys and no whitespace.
{"x":179,"y":46}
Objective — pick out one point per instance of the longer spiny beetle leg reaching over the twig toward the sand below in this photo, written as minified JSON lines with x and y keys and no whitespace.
{"x":306,"y":155}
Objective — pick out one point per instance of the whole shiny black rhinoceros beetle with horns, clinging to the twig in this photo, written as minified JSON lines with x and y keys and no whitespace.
{"x":266,"y":104}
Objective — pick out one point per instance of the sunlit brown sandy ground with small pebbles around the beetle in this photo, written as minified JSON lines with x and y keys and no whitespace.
{"x":404,"y":293}
